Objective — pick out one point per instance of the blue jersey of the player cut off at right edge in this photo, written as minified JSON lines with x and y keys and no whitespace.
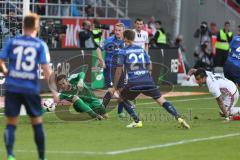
{"x":234,"y":54}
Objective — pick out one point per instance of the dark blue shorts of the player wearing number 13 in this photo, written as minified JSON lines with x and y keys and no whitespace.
{"x":13,"y":102}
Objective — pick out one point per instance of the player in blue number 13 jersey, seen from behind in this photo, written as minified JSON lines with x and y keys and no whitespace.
{"x":25,"y":53}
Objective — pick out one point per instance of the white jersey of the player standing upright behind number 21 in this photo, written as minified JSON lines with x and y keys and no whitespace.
{"x":141,"y":38}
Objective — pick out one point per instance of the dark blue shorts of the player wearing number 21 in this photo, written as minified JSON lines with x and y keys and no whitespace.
{"x":131,"y":91}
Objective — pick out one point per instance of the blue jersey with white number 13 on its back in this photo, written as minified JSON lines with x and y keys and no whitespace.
{"x":24,"y":53}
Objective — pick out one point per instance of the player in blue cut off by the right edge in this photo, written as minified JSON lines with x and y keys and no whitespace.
{"x":232,"y":64}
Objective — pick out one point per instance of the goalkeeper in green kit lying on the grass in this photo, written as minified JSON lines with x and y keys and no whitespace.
{"x":73,"y":89}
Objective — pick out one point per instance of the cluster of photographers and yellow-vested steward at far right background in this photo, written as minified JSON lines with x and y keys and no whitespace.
{"x":213,"y":47}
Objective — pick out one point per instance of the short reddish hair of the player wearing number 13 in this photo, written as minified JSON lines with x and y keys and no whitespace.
{"x":31,"y":21}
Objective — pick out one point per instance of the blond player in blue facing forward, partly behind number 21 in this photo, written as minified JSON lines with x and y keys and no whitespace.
{"x":111,"y":47}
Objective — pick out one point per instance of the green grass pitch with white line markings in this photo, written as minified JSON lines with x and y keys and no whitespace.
{"x":160,"y":138}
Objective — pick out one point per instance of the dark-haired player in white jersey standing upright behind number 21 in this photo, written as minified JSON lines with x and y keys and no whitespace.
{"x":141,"y":36}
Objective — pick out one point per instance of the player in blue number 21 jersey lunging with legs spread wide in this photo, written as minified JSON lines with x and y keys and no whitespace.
{"x":136,"y":64}
